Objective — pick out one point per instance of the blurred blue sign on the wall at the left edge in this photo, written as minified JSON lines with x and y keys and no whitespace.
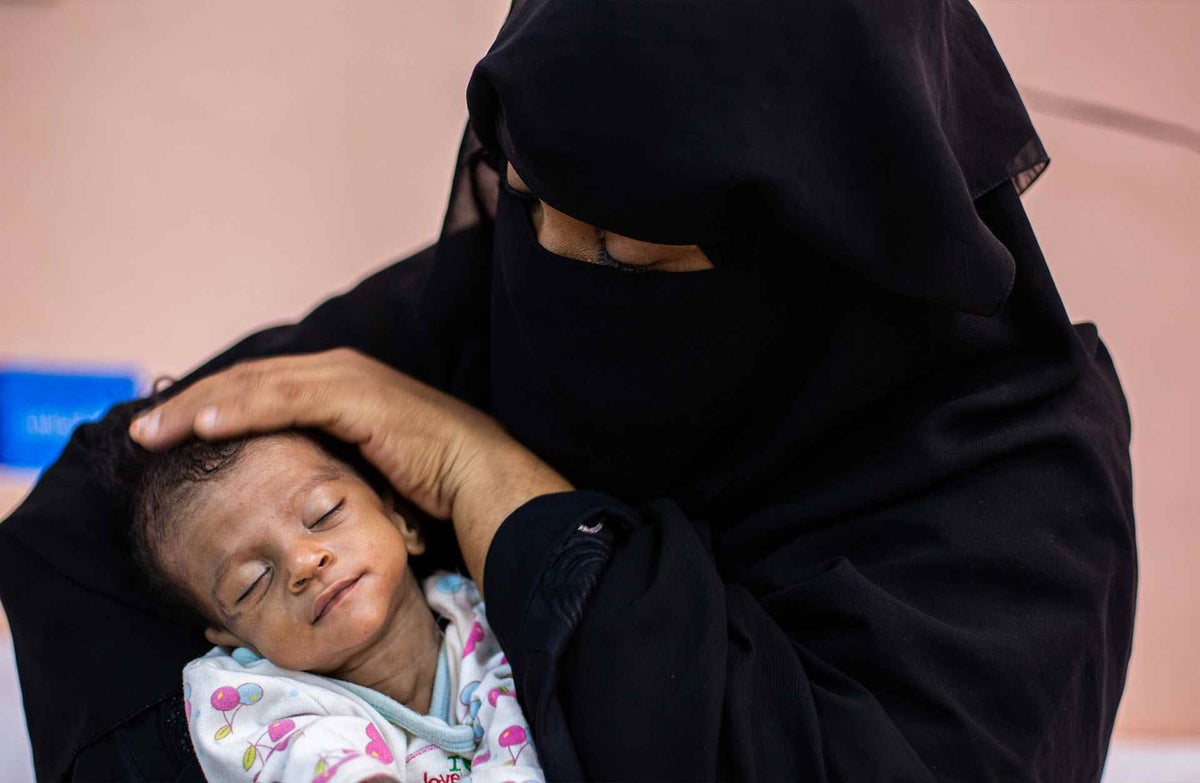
{"x":40,"y":409}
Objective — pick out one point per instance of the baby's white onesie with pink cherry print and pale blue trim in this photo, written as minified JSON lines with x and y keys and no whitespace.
{"x":254,"y":722}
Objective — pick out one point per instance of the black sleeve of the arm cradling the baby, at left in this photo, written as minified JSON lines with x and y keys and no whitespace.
{"x":87,"y":632}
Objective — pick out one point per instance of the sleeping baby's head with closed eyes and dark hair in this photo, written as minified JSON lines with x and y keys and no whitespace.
{"x":281,"y":546}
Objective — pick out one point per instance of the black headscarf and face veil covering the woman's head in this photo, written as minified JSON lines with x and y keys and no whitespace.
{"x":824,"y":156}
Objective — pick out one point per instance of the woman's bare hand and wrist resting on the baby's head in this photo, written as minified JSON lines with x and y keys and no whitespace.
{"x":448,"y":458}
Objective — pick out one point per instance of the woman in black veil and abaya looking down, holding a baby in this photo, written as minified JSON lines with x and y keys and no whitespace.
{"x":855,"y":494}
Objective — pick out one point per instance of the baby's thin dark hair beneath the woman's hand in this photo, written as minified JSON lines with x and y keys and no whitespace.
{"x":160,"y":486}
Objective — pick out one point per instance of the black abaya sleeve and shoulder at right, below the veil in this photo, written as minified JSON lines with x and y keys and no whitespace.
{"x":957,"y":606}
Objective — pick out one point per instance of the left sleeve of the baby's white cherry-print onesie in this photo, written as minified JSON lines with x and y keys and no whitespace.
{"x":253,"y":727}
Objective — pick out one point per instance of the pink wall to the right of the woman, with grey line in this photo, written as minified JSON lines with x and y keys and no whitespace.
{"x":1117,"y":217}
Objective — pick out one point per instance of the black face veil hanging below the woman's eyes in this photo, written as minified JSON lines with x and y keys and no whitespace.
{"x":625,"y":380}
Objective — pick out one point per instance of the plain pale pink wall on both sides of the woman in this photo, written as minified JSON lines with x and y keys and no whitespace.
{"x":176,"y":175}
